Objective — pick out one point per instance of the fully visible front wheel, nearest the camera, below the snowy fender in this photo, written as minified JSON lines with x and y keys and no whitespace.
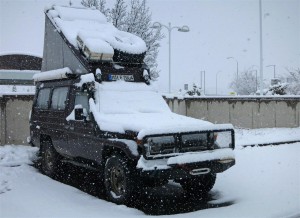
{"x":119,"y":179}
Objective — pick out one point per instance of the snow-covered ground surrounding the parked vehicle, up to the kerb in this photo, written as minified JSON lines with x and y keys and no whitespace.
{"x":264,"y":183}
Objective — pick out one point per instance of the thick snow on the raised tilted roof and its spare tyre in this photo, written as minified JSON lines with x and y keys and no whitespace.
{"x":91,"y":27}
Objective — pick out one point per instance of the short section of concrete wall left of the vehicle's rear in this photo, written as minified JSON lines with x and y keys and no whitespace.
{"x":14,"y":113}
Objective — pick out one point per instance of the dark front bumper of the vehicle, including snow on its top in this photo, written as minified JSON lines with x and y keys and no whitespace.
{"x":187,"y":165}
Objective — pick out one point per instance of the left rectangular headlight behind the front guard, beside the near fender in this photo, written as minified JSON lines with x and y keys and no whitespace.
{"x":160,"y":145}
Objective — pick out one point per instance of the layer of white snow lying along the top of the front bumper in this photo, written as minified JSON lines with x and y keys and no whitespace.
{"x":221,"y":155}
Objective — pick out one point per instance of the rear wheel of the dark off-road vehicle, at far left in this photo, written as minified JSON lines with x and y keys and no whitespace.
{"x":51,"y":160}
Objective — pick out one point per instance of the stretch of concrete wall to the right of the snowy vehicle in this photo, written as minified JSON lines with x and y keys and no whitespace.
{"x":252,"y":112}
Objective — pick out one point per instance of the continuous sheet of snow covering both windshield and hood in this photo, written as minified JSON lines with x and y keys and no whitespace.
{"x":122,"y":106}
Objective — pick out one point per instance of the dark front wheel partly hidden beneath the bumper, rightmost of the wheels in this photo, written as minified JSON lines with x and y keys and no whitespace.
{"x":199,"y":186}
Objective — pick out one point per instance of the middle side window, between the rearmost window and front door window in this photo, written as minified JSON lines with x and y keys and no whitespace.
{"x":59,"y":97}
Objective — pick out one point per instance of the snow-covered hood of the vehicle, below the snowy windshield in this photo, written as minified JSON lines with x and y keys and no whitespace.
{"x":150,"y":123}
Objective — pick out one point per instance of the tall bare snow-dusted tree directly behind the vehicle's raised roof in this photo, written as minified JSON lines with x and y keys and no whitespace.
{"x":137,"y":20}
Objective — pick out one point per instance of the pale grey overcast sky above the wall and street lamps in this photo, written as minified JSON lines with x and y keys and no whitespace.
{"x":219,"y":29}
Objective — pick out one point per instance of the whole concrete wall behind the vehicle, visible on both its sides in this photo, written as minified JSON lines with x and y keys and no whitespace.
{"x":241,"y":112}
